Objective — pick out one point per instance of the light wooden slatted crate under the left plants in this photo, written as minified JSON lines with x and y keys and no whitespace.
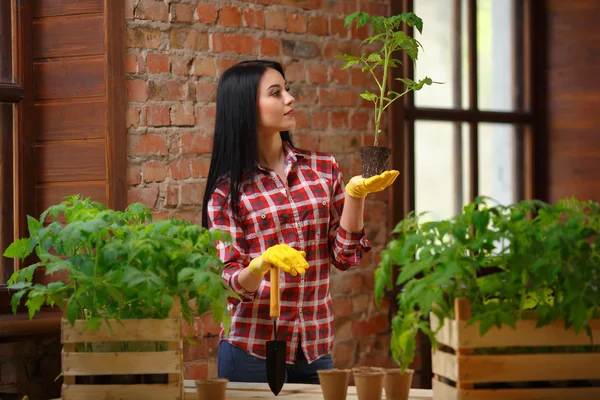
{"x":169,"y":362}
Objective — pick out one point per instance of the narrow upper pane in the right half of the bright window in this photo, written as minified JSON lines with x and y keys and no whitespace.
{"x":495,"y":43}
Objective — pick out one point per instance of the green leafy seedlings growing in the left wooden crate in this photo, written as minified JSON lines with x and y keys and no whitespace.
{"x":119,"y":264}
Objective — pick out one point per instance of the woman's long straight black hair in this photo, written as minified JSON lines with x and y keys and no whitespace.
{"x":235,"y":141}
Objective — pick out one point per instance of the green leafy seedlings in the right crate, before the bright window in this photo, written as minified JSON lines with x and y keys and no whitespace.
{"x":545,"y":257}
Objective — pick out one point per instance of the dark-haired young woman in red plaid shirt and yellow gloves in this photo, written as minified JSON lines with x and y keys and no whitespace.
{"x":285,"y":208}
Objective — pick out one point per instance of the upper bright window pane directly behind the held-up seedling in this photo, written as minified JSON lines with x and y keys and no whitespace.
{"x":437,"y":59}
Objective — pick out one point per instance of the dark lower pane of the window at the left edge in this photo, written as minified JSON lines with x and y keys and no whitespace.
{"x":6,"y":188}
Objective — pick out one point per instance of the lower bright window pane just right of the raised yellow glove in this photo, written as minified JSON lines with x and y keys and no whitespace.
{"x":441,"y":168}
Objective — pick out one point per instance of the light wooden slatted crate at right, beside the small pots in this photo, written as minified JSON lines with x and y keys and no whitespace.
{"x":458,"y":363}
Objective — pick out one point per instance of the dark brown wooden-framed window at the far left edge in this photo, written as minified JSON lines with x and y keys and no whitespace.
{"x":16,"y":110}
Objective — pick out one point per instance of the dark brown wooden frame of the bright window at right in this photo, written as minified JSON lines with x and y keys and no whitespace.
{"x":531,"y":150}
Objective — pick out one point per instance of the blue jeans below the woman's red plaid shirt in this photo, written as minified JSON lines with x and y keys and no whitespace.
{"x":238,"y":366}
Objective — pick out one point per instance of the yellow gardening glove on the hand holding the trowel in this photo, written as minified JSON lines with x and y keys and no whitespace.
{"x":281,"y":256}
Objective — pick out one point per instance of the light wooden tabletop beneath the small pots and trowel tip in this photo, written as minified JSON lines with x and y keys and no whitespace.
{"x":290,"y":391}
